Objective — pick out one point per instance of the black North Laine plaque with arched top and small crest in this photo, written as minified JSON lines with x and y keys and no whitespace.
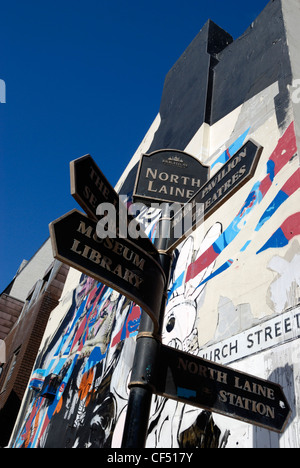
{"x":168,"y":176}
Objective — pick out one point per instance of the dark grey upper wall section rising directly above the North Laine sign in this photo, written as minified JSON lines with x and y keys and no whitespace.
{"x":187,"y":89}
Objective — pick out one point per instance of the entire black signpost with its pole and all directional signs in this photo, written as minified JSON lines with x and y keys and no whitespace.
{"x":140,"y":270}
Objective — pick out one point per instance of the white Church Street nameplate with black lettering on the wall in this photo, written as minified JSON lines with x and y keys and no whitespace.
{"x":273,"y":332}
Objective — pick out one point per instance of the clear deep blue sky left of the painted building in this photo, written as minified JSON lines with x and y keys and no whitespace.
{"x":83,"y":77}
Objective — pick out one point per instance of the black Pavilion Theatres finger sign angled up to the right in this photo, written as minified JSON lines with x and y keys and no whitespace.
{"x":231,"y":177}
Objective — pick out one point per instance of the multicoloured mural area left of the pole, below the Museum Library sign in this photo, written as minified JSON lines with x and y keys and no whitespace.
{"x":83,"y":360}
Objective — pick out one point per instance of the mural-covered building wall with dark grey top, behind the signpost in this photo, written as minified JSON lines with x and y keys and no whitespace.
{"x":234,"y":289}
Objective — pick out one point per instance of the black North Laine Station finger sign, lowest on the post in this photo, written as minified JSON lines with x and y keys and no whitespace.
{"x":204,"y":384}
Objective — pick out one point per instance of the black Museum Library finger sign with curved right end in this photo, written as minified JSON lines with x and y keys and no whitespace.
{"x":118,"y":263}
